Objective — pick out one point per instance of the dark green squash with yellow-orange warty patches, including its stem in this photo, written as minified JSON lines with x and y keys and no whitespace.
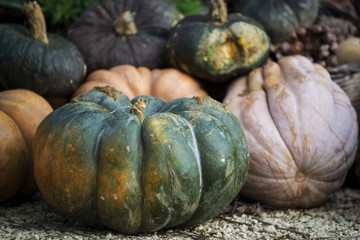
{"x":217,"y":47}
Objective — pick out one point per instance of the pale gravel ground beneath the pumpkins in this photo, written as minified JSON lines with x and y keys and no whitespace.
{"x":338,"y":218}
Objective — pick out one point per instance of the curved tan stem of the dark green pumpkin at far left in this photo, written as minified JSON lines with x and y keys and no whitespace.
{"x":36,"y":21}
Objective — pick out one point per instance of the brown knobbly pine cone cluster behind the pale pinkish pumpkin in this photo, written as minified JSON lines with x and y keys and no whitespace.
{"x":319,"y":42}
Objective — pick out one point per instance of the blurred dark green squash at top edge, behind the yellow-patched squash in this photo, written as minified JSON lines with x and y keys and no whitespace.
{"x":279,"y":17}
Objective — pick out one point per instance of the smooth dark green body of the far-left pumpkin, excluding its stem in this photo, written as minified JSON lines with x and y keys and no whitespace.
{"x":51,"y":70}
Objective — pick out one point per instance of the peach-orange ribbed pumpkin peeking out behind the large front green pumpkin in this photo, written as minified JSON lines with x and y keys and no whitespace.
{"x":167,"y":84}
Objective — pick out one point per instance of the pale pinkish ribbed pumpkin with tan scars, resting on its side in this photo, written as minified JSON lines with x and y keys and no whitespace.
{"x":301,"y":131}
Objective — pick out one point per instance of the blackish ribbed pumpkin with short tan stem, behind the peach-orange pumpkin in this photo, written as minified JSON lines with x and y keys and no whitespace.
{"x":140,"y":41}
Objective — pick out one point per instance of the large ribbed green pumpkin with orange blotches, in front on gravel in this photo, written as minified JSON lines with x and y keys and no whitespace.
{"x":180,"y":166}
